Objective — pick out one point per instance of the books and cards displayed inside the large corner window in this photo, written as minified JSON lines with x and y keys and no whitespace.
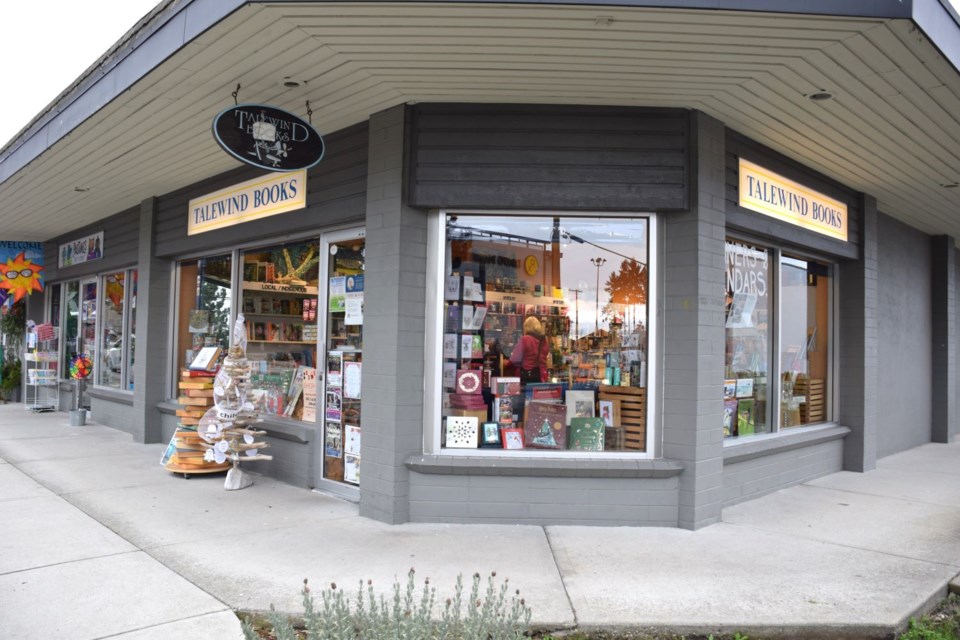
{"x":484,"y":403}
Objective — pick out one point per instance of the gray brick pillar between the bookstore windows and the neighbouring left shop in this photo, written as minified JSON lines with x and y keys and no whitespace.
{"x":152,"y":349}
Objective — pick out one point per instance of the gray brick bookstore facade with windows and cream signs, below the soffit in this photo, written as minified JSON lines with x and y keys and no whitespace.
{"x":528,"y":313}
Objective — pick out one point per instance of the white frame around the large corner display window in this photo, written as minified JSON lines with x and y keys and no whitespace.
{"x":433,"y":338}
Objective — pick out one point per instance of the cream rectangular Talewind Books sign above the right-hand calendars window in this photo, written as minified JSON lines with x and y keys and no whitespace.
{"x":766,"y":192}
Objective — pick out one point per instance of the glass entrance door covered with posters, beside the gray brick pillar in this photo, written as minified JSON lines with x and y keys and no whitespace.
{"x":339,"y":423}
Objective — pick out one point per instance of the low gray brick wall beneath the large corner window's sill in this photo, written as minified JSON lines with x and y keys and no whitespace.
{"x":543,"y":501}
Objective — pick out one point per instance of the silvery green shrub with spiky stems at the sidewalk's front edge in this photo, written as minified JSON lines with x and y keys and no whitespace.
{"x":403,"y":616}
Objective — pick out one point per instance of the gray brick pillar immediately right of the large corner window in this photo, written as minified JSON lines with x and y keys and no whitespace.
{"x":693,"y":332}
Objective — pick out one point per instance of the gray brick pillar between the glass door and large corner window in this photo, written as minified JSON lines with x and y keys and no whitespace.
{"x":393,"y":317}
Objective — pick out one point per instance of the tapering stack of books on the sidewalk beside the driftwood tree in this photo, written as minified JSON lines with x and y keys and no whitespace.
{"x":185,"y":452}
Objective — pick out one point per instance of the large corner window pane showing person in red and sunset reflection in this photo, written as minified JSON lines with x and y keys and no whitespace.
{"x":545,"y":333}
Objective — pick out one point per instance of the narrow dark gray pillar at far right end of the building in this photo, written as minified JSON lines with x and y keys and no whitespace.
{"x":944,"y":312}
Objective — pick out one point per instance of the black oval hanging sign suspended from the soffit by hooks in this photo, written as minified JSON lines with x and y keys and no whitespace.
{"x":268,"y":137}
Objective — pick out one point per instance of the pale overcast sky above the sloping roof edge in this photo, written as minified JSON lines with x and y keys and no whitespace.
{"x":47,"y":44}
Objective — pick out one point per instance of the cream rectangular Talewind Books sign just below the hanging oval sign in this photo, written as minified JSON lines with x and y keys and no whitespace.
{"x":258,"y":198}
